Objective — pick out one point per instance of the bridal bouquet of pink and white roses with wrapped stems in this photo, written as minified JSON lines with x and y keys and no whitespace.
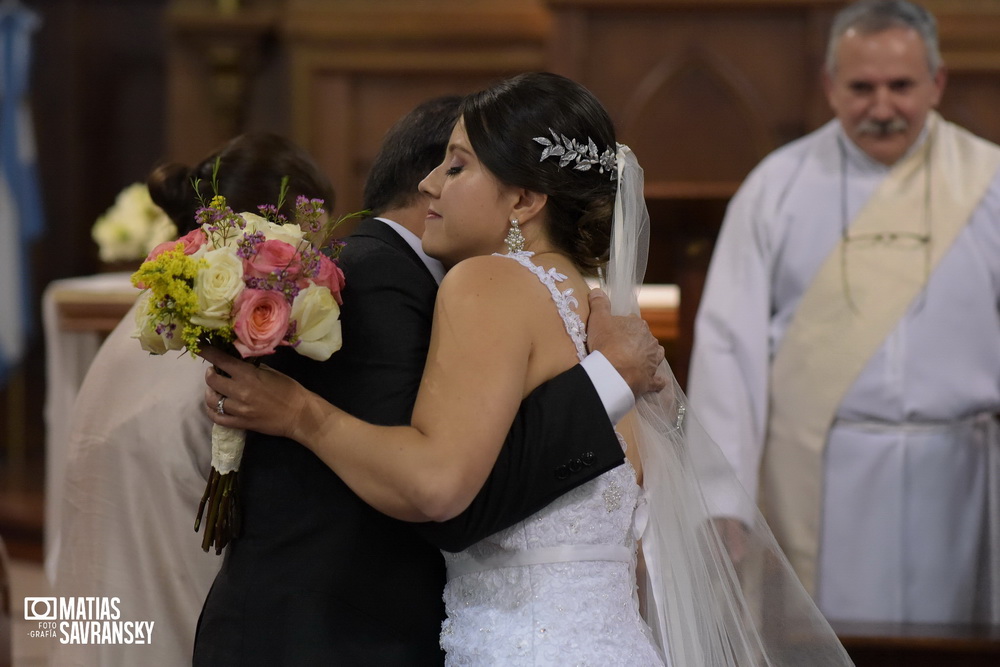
{"x":249,"y":283}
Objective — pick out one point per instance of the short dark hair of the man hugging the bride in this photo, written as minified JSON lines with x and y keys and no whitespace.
{"x":412,"y":148}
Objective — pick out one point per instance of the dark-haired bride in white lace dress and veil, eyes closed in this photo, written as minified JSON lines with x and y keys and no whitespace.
{"x":533,"y":195}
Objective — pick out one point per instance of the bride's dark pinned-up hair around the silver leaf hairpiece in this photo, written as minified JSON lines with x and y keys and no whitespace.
{"x":502,"y":122}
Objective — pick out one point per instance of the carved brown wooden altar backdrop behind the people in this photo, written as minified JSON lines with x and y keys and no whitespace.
{"x":701,"y":89}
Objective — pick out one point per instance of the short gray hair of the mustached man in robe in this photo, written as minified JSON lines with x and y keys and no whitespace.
{"x":874,"y":16}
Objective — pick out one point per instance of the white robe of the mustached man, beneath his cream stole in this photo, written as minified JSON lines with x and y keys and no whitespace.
{"x":905,"y":529}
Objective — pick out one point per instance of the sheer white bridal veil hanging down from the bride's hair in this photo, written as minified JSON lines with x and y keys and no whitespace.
{"x":710,"y":600}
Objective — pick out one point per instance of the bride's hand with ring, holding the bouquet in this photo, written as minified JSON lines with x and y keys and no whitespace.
{"x":249,"y":397}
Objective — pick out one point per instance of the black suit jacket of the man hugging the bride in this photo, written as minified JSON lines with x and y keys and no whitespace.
{"x":320,"y":578}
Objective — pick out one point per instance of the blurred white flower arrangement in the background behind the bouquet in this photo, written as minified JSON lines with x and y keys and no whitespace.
{"x":132,"y":227}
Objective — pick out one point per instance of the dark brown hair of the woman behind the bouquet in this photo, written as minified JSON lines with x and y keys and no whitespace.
{"x":251,"y":167}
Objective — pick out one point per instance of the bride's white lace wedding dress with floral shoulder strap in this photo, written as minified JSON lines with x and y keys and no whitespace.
{"x":558,"y":588}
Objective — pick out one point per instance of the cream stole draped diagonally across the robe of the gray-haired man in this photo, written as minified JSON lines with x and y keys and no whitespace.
{"x":832,"y":336}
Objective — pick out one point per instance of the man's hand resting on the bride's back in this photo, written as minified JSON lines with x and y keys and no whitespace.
{"x":626,"y":341}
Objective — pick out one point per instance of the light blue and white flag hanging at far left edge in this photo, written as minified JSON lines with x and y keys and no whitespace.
{"x":21,"y":220}
